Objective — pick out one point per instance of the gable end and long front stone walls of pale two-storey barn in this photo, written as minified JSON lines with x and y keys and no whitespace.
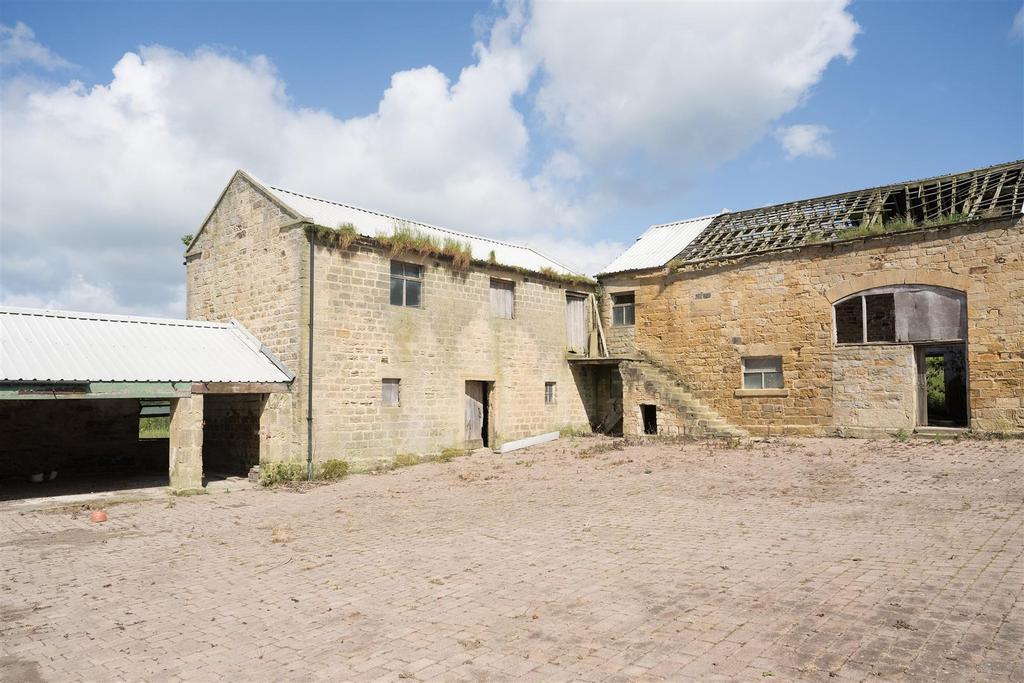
{"x":251,"y":263}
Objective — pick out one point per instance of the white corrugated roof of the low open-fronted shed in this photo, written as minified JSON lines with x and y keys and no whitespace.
{"x":38,"y":346}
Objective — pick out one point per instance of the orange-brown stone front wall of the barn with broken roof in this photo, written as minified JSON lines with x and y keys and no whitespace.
{"x":702,"y":322}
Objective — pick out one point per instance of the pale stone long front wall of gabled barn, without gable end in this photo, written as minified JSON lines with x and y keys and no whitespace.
{"x":361,"y":339}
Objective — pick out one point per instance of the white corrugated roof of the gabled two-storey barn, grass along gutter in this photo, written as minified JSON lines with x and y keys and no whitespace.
{"x":371,"y":224}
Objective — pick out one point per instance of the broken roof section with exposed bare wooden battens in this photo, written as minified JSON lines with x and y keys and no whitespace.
{"x":989,"y":193}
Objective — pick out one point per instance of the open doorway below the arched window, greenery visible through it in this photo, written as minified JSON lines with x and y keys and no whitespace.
{"x":943,"y":387}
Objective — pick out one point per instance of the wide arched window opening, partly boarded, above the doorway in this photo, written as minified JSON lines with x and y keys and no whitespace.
{"x":903,"y":314}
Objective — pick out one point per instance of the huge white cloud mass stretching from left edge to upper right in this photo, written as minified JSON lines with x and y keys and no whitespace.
{"x":101,"y":182}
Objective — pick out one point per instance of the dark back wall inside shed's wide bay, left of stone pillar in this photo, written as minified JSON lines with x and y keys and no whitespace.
{"x":76,"y":437}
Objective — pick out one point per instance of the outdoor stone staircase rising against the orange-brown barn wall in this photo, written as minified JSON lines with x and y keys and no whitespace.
{"x":672,"y":394}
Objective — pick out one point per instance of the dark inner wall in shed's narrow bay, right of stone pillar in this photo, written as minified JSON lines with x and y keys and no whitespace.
{"x":231,"y":433}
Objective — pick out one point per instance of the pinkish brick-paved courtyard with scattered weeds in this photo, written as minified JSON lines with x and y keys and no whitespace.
{"x":809,"y":560}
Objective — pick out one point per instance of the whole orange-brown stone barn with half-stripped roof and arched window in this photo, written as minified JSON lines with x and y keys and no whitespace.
{"x":899,"y":308}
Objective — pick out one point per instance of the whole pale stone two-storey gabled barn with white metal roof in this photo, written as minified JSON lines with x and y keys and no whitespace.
{"x":405,"y":338}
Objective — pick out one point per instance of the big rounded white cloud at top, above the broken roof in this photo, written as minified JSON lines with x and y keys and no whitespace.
{"x":682,"y":86}
